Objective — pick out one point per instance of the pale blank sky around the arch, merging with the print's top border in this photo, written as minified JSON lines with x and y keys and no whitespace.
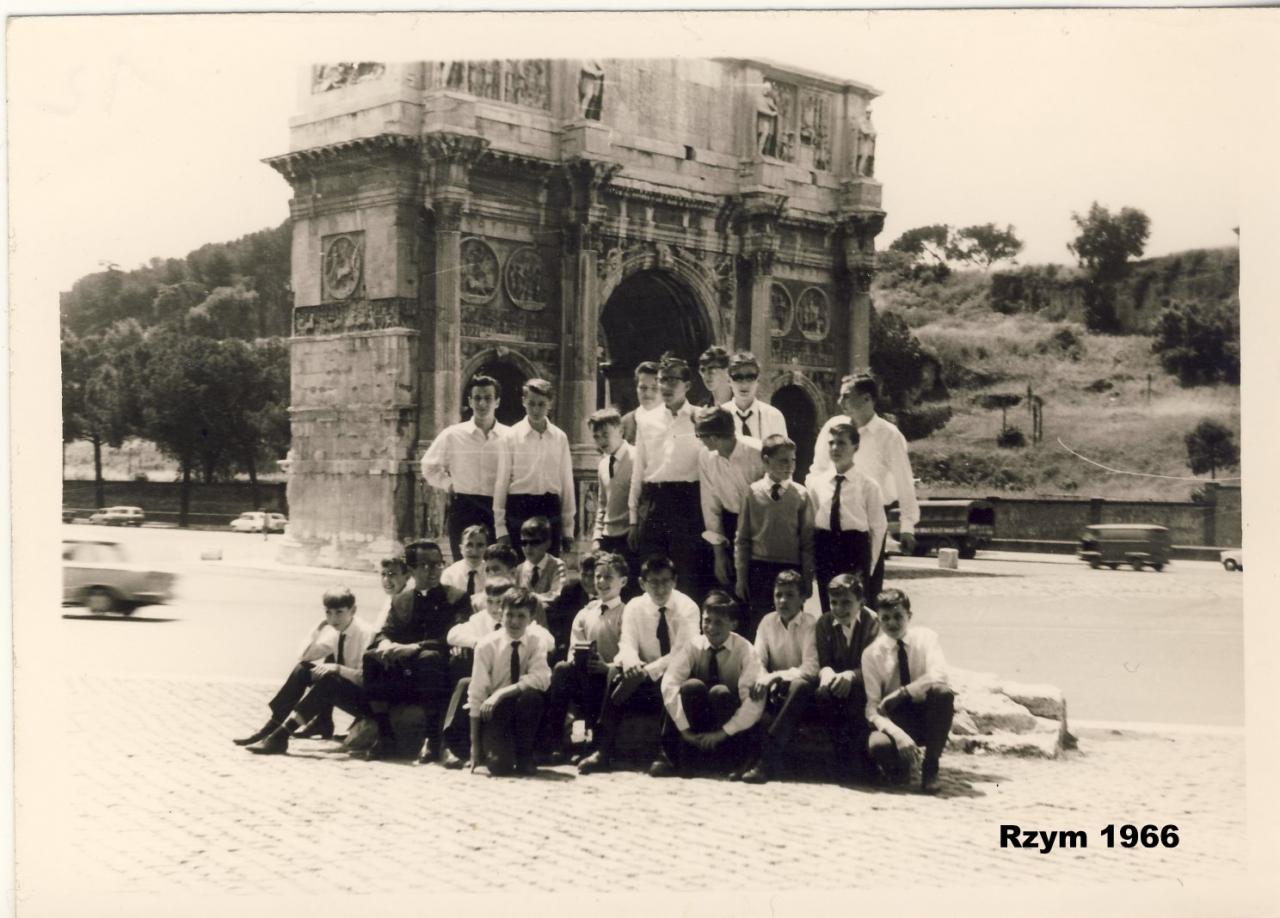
{"x":136,"y":138}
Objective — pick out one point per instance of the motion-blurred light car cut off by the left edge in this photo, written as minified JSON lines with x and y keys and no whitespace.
{"x":98,"y":574}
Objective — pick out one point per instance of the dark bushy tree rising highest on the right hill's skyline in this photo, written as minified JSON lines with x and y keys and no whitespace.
{"x":1104,"y":248}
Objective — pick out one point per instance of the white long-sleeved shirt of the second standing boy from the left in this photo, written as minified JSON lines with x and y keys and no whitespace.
{"x":533,"y":463}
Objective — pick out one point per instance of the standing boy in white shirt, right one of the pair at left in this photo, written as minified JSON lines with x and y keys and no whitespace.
{"x":536,"y":473}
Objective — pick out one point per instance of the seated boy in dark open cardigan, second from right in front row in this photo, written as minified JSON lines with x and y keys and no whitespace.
{"x":840,"y":701}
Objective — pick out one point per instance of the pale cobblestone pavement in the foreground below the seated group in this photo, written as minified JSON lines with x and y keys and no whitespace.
{"x":159,"y":802}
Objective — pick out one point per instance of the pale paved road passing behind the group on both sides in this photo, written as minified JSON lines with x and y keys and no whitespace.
{"x":1123,"y":646}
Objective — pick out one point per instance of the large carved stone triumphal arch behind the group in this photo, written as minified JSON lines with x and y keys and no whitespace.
{"x":565,"y":220}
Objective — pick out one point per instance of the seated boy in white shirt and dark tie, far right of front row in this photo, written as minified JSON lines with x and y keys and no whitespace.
{"x":908,"y":697}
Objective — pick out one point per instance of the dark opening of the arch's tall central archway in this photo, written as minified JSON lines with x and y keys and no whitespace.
{"x":648,"y":314}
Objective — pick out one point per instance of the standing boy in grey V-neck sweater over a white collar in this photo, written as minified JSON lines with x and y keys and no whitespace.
{"x":775,"y":532}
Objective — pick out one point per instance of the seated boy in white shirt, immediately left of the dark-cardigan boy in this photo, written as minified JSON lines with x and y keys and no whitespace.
{"x":789,"y":673}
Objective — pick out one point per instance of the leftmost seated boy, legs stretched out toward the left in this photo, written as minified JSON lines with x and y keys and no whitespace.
{"x":328,"y":675}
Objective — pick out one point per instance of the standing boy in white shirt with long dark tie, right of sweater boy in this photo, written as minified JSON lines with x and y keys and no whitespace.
{"x":848,"y":514}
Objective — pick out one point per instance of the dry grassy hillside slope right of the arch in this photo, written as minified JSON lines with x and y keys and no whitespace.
{"x":1095,"y":391}
